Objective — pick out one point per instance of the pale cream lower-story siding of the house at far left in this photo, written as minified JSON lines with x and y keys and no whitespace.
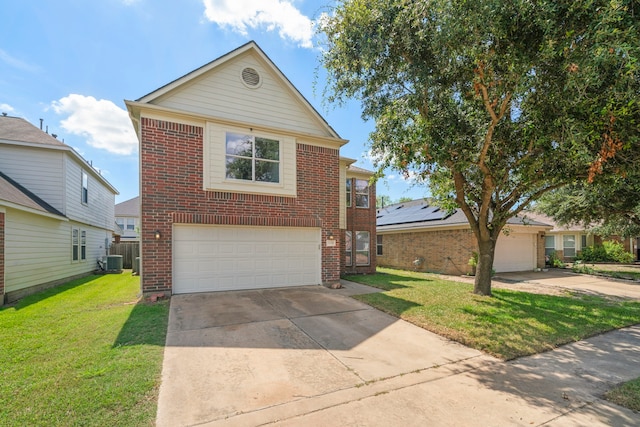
{"x":38,"y":249}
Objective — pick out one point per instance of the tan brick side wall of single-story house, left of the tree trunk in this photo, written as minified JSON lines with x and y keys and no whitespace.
{"x":442,"y":251}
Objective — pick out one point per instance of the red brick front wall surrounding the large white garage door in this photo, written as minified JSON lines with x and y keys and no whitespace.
{"x":172,"y":192}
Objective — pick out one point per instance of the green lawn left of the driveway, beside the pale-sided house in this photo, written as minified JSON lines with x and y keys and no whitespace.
{"x":85,"y":353}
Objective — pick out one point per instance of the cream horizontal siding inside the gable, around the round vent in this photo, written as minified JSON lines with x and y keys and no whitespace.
{"x":222,"y":93}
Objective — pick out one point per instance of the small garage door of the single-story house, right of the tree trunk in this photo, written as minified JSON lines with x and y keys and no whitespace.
{"x":515,"y":252}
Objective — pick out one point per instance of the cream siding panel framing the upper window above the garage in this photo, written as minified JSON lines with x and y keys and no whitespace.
{"x":215,"y":164}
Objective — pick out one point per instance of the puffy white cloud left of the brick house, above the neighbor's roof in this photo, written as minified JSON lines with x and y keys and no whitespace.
{"x":105,"y":125}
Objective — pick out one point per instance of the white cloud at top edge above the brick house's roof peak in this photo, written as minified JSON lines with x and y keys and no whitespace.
{"x":272,"y":15}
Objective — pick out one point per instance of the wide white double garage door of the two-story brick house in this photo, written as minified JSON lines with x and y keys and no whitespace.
{"x":219,"y":258}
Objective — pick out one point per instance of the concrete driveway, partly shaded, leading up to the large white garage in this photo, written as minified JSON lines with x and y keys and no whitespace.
{"x":233,"y":353}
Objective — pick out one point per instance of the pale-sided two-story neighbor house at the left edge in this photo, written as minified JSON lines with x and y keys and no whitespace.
{"x":56,"y":211}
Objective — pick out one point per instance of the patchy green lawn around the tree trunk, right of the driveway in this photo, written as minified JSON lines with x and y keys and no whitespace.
{"x":508,"y":325}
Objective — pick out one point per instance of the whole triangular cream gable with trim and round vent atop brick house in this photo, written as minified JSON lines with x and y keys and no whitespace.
{"x":246,"y":86}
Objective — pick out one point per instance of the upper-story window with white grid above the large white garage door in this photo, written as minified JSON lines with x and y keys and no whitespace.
{"x":251,"y":158}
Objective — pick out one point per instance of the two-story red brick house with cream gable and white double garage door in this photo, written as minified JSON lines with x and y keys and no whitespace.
{"x":241,"y":181}
